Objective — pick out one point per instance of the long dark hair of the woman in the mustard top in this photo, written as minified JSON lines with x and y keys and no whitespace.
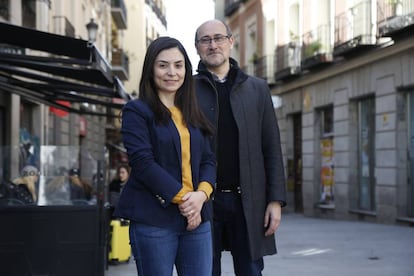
{"x":185,"y":98}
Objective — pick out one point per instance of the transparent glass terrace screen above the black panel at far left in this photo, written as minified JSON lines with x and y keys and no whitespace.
{"x":61,"y":180}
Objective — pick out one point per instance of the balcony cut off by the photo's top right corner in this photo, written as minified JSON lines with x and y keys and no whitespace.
{"x":394,"y":16}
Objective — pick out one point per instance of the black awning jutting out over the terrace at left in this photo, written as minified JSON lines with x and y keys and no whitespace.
{"x":69,"y":69}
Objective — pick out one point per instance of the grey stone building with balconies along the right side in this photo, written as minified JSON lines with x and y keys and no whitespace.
{"x":342,"y":77}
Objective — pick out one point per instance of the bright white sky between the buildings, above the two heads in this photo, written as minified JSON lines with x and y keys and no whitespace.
{"x":183,"y":17}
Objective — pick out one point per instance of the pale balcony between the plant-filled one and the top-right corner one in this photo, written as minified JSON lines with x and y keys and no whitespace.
{"x":353,"y":28}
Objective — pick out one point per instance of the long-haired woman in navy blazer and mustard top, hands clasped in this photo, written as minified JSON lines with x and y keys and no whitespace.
{"x":172,"y":176}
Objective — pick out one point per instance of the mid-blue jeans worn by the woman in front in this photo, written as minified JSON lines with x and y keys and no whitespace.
{"x":157,"y":250}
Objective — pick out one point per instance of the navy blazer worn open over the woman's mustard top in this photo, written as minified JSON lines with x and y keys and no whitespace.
{"x":154,"y":155}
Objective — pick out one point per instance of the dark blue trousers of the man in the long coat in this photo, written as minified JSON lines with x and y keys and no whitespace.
{"x":230,"y":233}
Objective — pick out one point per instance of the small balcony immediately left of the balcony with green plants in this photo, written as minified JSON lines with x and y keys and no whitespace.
{"x":288,"y":60}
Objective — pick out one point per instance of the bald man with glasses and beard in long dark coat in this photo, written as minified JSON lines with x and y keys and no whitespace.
{"x":250,"y":174}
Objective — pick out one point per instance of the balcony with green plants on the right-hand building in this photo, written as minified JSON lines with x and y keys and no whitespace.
{"x":317,"y":47}
